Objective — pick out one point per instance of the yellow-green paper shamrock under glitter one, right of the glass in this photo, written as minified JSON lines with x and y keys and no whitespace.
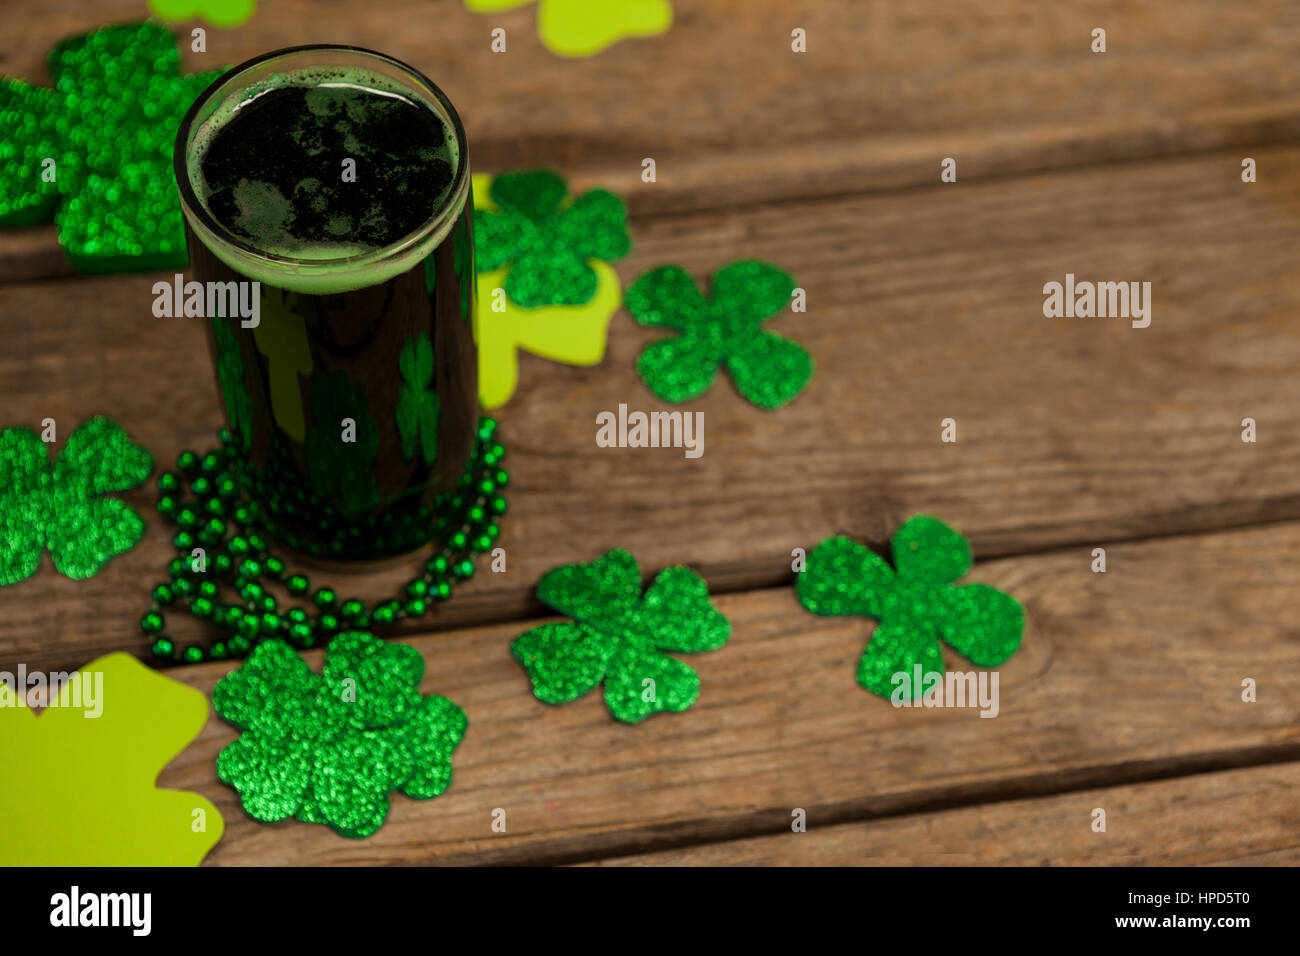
{"x":574,"y":335}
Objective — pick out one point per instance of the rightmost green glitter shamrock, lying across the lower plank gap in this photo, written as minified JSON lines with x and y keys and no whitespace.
{"x":916,"y":604}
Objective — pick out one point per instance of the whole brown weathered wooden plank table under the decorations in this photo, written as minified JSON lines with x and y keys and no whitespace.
{"x":925,"y":302}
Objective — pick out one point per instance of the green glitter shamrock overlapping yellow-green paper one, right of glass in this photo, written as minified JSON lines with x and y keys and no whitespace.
{"x":545,"y":243}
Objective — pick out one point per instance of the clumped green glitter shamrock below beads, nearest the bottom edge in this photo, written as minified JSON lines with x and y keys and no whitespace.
{"x":330,"y":749}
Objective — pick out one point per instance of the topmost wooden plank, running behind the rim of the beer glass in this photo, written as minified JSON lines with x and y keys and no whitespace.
{"x":733,"y":116}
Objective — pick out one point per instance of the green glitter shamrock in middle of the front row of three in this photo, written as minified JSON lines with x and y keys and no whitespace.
{"x":618,"y":637}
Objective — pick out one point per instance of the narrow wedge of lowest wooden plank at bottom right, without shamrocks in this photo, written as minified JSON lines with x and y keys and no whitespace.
{"x":1229,"y":819}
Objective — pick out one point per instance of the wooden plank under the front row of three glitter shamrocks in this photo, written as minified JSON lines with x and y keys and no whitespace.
{"x":1126,"y":677}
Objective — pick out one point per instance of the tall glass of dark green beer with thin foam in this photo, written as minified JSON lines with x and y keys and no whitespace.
{"x":337,"y":180}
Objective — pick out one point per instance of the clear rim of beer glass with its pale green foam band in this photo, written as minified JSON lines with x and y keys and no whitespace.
{"x":307,"y":275}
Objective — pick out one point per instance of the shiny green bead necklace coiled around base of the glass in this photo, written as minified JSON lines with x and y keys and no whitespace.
{"x":244,"y":560}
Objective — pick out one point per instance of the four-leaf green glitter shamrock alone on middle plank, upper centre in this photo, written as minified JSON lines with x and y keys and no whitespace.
{"x":721,"y":331}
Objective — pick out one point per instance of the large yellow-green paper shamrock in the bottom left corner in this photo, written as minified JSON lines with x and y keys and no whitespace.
{"x":89,"y":763}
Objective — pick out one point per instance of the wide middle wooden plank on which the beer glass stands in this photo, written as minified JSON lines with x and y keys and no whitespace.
{"x":921,"y":308}
